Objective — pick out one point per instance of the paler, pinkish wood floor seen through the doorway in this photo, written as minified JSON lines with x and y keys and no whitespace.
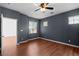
{"x":9,"y":45}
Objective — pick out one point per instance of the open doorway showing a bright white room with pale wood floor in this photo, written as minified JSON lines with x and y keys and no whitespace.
{"x":9,"y":35}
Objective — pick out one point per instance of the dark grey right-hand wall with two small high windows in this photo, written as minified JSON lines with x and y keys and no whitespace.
{"x":58,"y":28}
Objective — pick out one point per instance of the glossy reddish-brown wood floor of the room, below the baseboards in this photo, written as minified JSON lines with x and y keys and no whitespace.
{"x":40,"y":47}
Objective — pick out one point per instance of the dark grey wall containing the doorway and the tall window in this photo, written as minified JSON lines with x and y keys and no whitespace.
{"x":22,"y":24}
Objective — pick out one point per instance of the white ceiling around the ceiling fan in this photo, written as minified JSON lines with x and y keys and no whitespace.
{"x":28,"y":8}
